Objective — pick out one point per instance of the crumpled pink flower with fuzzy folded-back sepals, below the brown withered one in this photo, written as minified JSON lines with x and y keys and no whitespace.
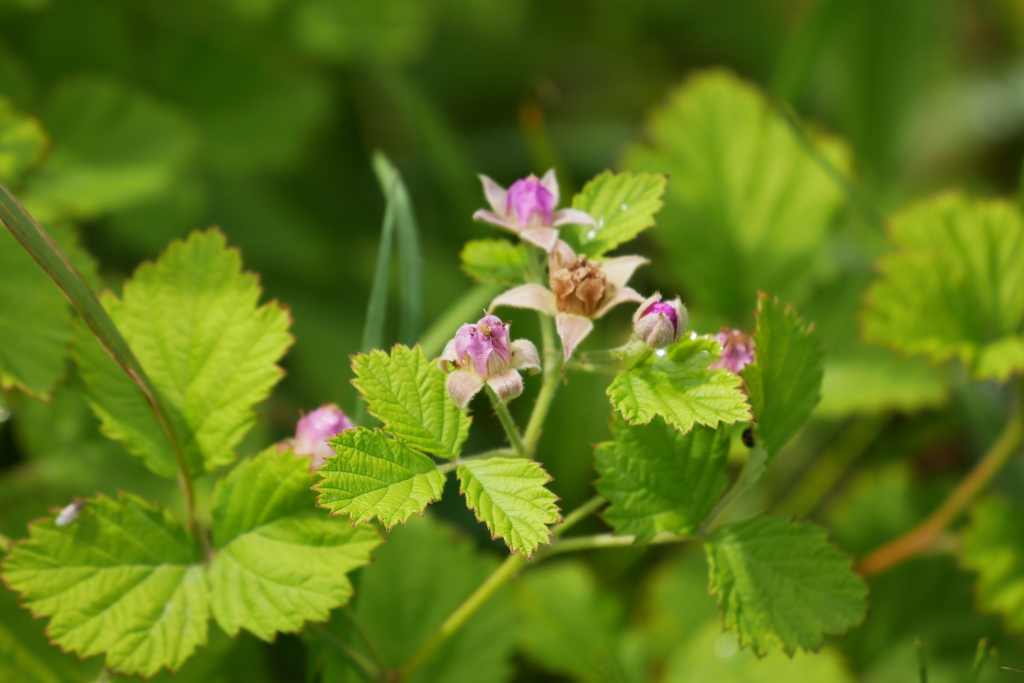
{"x":482,"y":354}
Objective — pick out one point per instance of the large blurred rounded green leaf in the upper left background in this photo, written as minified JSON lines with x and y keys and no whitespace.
{"x":113,"y":149}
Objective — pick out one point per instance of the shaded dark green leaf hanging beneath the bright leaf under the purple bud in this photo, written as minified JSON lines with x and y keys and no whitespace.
{"x":660,"y":480}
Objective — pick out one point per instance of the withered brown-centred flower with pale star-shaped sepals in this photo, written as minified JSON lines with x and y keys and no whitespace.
{"x":581,"y":291}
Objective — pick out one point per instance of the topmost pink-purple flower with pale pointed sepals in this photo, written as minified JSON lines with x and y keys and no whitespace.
{"x":528,"y":208}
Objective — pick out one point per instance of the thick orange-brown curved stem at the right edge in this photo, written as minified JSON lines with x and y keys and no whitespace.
{"x":928,"y":533}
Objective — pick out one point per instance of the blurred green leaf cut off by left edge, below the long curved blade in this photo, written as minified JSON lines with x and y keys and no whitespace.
{"x":35,"y":322}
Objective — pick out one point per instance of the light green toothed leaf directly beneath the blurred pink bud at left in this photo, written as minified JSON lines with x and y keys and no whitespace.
{"x":272,"y":542}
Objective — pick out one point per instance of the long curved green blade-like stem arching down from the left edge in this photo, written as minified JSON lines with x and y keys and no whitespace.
{"x":57,"y":265}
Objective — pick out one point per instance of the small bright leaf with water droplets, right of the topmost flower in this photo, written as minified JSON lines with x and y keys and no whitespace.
{"x":623,"y":206}
